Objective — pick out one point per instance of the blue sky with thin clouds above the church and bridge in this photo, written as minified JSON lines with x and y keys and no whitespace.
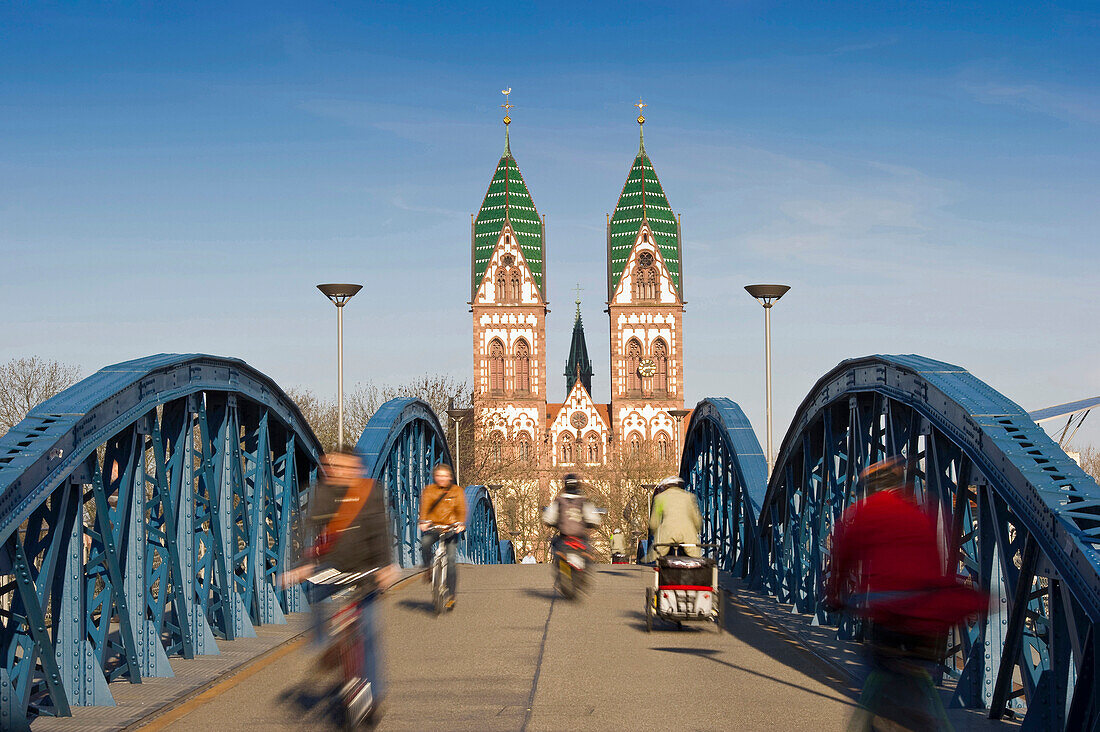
{"x":179,"y":179}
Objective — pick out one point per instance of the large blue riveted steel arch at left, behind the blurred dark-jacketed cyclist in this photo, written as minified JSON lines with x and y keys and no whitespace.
{"x":144,"y":512}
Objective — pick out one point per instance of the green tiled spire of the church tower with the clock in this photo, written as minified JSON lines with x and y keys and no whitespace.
{"x":643,"y":201}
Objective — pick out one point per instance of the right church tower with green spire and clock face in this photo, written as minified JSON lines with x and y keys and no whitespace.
{"x":645,"y":302}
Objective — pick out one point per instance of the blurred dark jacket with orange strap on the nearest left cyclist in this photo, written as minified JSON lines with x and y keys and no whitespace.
{"x":366,"y":543}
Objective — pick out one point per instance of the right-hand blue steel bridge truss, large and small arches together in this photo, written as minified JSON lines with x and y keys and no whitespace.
{"x":1018,"y":517}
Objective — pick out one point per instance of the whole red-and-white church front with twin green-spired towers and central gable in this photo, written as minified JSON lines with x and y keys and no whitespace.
{"x":510,"y":307}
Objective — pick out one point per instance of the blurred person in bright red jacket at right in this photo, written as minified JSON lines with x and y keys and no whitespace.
{"x":888,"y":567}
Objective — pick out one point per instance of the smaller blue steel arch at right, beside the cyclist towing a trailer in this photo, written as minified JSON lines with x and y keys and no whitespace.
{"x":724,"y":466}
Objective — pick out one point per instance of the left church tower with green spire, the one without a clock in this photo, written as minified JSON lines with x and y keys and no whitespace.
{"x":509,"y":301}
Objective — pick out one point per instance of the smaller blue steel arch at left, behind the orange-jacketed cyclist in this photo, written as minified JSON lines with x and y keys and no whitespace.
{"x":401,"y":445}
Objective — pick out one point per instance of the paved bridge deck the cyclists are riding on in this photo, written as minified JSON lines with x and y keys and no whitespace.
{"x":513,"y":658}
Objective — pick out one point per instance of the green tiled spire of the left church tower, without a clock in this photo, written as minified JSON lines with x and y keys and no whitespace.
{"x":508,"y":201}
